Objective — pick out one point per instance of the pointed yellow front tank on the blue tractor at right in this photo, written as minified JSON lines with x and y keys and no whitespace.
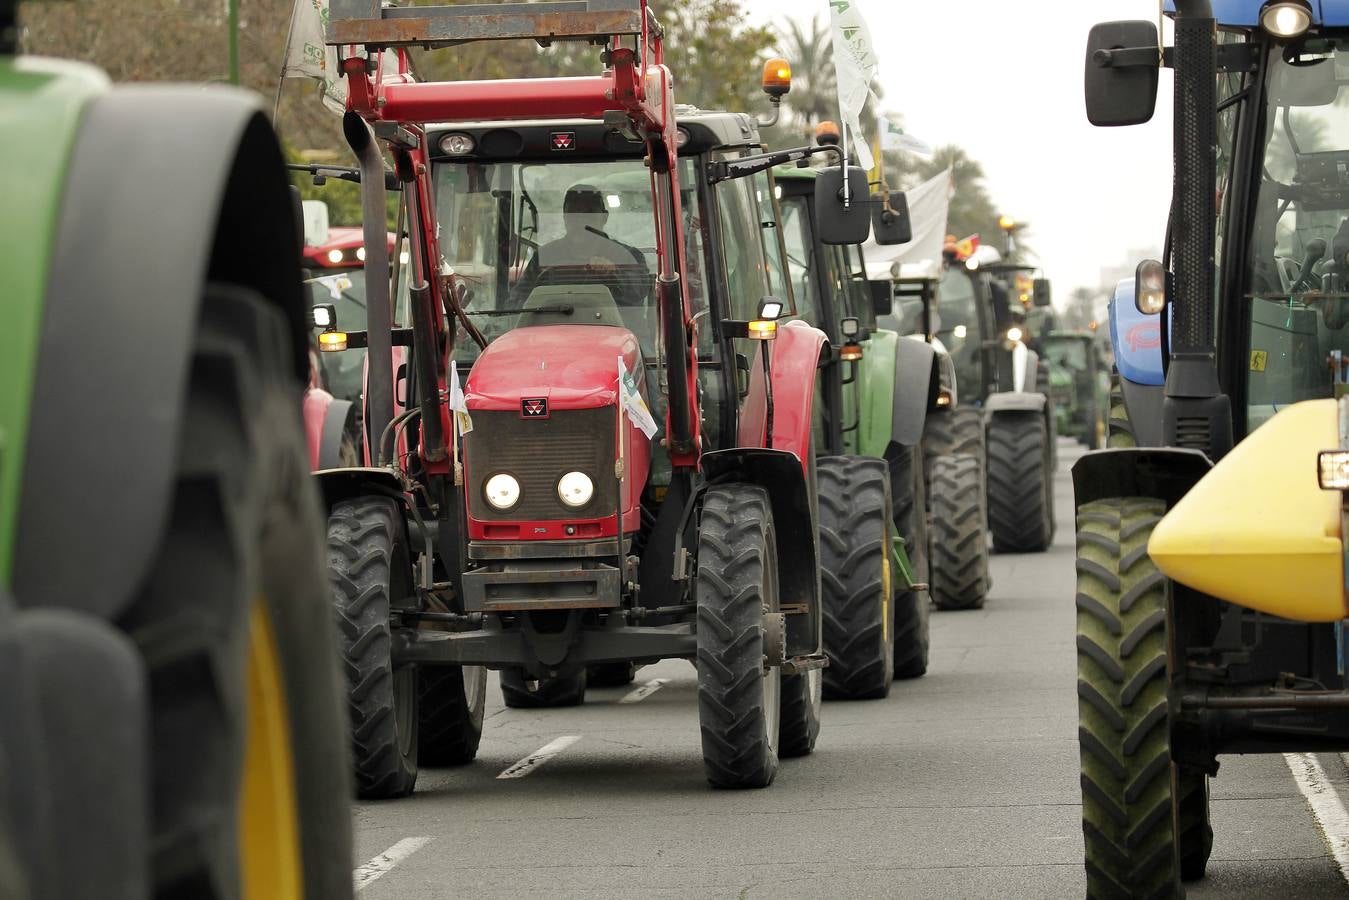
{"x":1258,"y":531}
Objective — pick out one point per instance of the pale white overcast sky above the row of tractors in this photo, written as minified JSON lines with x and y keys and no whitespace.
{"x":1003,"y":79}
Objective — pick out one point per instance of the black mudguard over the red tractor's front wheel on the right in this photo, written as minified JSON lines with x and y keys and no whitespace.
{"x":795,"y":526}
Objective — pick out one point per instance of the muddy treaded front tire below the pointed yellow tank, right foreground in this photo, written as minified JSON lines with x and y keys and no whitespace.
{"x":1128,"y":808}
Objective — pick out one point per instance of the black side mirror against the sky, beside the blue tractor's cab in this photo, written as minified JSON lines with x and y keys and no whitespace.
{"x":1122,"y":74}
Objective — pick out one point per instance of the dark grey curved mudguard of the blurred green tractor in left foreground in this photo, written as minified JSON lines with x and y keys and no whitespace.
{"x":169,"y":188}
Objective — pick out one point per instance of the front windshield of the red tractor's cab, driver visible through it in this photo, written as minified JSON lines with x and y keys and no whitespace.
{"x":552,"y":244}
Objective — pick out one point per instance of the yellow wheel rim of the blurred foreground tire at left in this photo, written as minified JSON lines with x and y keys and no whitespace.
{"x":269,"y":822}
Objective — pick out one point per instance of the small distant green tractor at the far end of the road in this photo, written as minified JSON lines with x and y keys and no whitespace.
{"x":1080,"y":385}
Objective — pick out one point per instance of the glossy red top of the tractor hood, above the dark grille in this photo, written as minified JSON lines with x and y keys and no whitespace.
{"x":573,"y":366}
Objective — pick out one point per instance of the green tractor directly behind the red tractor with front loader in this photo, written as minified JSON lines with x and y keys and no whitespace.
{"x":876,"y":389}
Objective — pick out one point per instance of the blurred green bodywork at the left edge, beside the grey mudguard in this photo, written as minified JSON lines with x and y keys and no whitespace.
{"x":42,"y":105}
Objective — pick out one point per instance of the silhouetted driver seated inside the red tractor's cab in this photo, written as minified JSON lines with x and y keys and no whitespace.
{"x":586,"y":254}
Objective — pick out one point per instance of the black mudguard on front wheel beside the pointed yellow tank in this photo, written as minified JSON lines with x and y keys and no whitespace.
{"x":1165,"y":473}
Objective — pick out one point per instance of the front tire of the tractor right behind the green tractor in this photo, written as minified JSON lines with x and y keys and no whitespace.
{"x":958,"y":547}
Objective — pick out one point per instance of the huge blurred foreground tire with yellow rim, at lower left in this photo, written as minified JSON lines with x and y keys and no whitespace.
{"x":242,"y":540}
